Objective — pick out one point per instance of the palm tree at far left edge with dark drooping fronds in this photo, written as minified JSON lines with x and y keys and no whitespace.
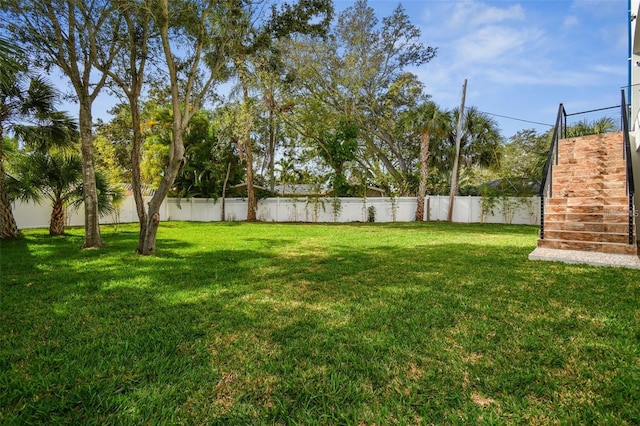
{"x":27,"y":109}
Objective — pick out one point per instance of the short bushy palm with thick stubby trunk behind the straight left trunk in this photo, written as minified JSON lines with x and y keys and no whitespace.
{"x":57,"y":176}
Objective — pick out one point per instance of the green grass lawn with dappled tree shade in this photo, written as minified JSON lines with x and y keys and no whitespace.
{"x":236,"y":323}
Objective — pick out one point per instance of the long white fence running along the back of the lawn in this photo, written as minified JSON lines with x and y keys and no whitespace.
{"x":508,"y":210}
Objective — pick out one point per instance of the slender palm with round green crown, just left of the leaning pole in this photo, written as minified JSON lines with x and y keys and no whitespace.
{"x":426,"y":120}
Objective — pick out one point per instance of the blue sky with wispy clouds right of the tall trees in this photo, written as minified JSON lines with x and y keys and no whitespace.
{"x":521,"y":58}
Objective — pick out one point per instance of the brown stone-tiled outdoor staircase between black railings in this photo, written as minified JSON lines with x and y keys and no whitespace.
{"x":589,"y":208}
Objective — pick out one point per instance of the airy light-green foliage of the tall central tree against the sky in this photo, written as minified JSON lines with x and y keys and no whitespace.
{"x":361,"y":72}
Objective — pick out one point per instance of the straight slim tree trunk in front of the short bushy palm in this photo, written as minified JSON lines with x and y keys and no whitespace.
{"x":92,"y":238}
